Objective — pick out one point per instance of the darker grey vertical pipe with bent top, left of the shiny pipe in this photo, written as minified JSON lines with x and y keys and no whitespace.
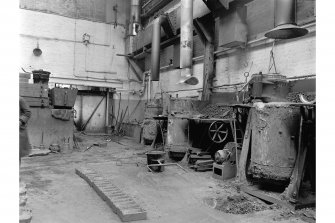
{"x":156,"y":47}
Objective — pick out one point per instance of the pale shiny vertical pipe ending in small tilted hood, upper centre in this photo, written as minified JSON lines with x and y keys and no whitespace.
{"x":186,"y":43}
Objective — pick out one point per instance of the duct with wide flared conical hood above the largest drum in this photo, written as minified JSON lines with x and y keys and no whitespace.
{"x":285,"y":21}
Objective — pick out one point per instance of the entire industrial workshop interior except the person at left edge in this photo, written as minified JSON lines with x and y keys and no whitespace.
{"x":168,"y":110}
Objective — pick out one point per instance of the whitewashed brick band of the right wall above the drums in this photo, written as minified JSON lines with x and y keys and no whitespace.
{"x":295,"y":57}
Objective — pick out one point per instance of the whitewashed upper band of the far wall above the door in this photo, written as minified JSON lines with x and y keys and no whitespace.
{"x":64,"y":54}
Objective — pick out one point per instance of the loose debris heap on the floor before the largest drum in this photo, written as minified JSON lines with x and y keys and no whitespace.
{"x":239,"y":204}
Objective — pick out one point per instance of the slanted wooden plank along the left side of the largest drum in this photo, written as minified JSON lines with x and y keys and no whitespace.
{"x":241,"y":174}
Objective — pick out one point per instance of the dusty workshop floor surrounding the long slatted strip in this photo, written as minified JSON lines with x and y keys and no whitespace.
{"x":57,"y":194}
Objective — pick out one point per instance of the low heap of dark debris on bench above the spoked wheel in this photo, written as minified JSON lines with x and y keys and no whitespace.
{"x":216,"y":111}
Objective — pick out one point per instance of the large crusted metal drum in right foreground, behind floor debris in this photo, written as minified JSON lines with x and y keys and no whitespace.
{"x":275,"y":128}
